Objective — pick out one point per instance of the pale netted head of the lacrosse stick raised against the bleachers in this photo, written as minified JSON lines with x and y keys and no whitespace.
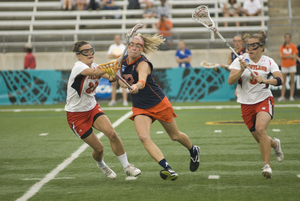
{"x":201,"y":15}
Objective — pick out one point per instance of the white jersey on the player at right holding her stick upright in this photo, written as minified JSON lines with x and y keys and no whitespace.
{"x":249,"y":91}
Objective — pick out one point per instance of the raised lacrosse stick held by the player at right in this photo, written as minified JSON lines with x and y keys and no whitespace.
{"x":201,"y":15}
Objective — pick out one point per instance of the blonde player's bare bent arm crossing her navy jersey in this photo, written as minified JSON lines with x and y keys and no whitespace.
{"x":143,"y":70}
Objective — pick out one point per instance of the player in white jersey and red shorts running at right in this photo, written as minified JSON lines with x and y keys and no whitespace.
{"x":257,"y":103}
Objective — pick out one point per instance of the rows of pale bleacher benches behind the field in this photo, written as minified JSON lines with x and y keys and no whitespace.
{"x":51,"y":29}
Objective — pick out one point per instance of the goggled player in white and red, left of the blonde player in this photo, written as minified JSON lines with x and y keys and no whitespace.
{"x":83,"y":112}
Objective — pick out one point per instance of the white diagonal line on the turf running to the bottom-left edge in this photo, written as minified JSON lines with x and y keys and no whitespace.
{"x":36,"y":187}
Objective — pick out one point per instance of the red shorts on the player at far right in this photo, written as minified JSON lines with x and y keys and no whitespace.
{"x":249,"y":111}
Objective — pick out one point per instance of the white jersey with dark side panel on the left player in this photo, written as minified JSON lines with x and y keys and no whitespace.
{"x":81,"y":89}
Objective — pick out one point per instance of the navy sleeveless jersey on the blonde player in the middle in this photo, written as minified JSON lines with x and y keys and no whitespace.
{"x":151,"y":94}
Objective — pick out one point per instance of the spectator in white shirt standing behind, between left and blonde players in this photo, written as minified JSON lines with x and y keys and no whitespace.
{"x":114,"y":52}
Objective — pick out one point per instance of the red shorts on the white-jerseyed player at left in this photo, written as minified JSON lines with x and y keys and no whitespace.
{"x":81,"y":122}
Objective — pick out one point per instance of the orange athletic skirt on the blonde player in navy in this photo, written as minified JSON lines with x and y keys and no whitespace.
{"x":163,"y":111}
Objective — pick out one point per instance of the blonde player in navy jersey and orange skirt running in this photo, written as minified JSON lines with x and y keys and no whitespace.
{"x":150,"y":103}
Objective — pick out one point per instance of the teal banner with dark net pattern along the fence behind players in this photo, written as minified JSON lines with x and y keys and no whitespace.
{"x":179,"y":84}
